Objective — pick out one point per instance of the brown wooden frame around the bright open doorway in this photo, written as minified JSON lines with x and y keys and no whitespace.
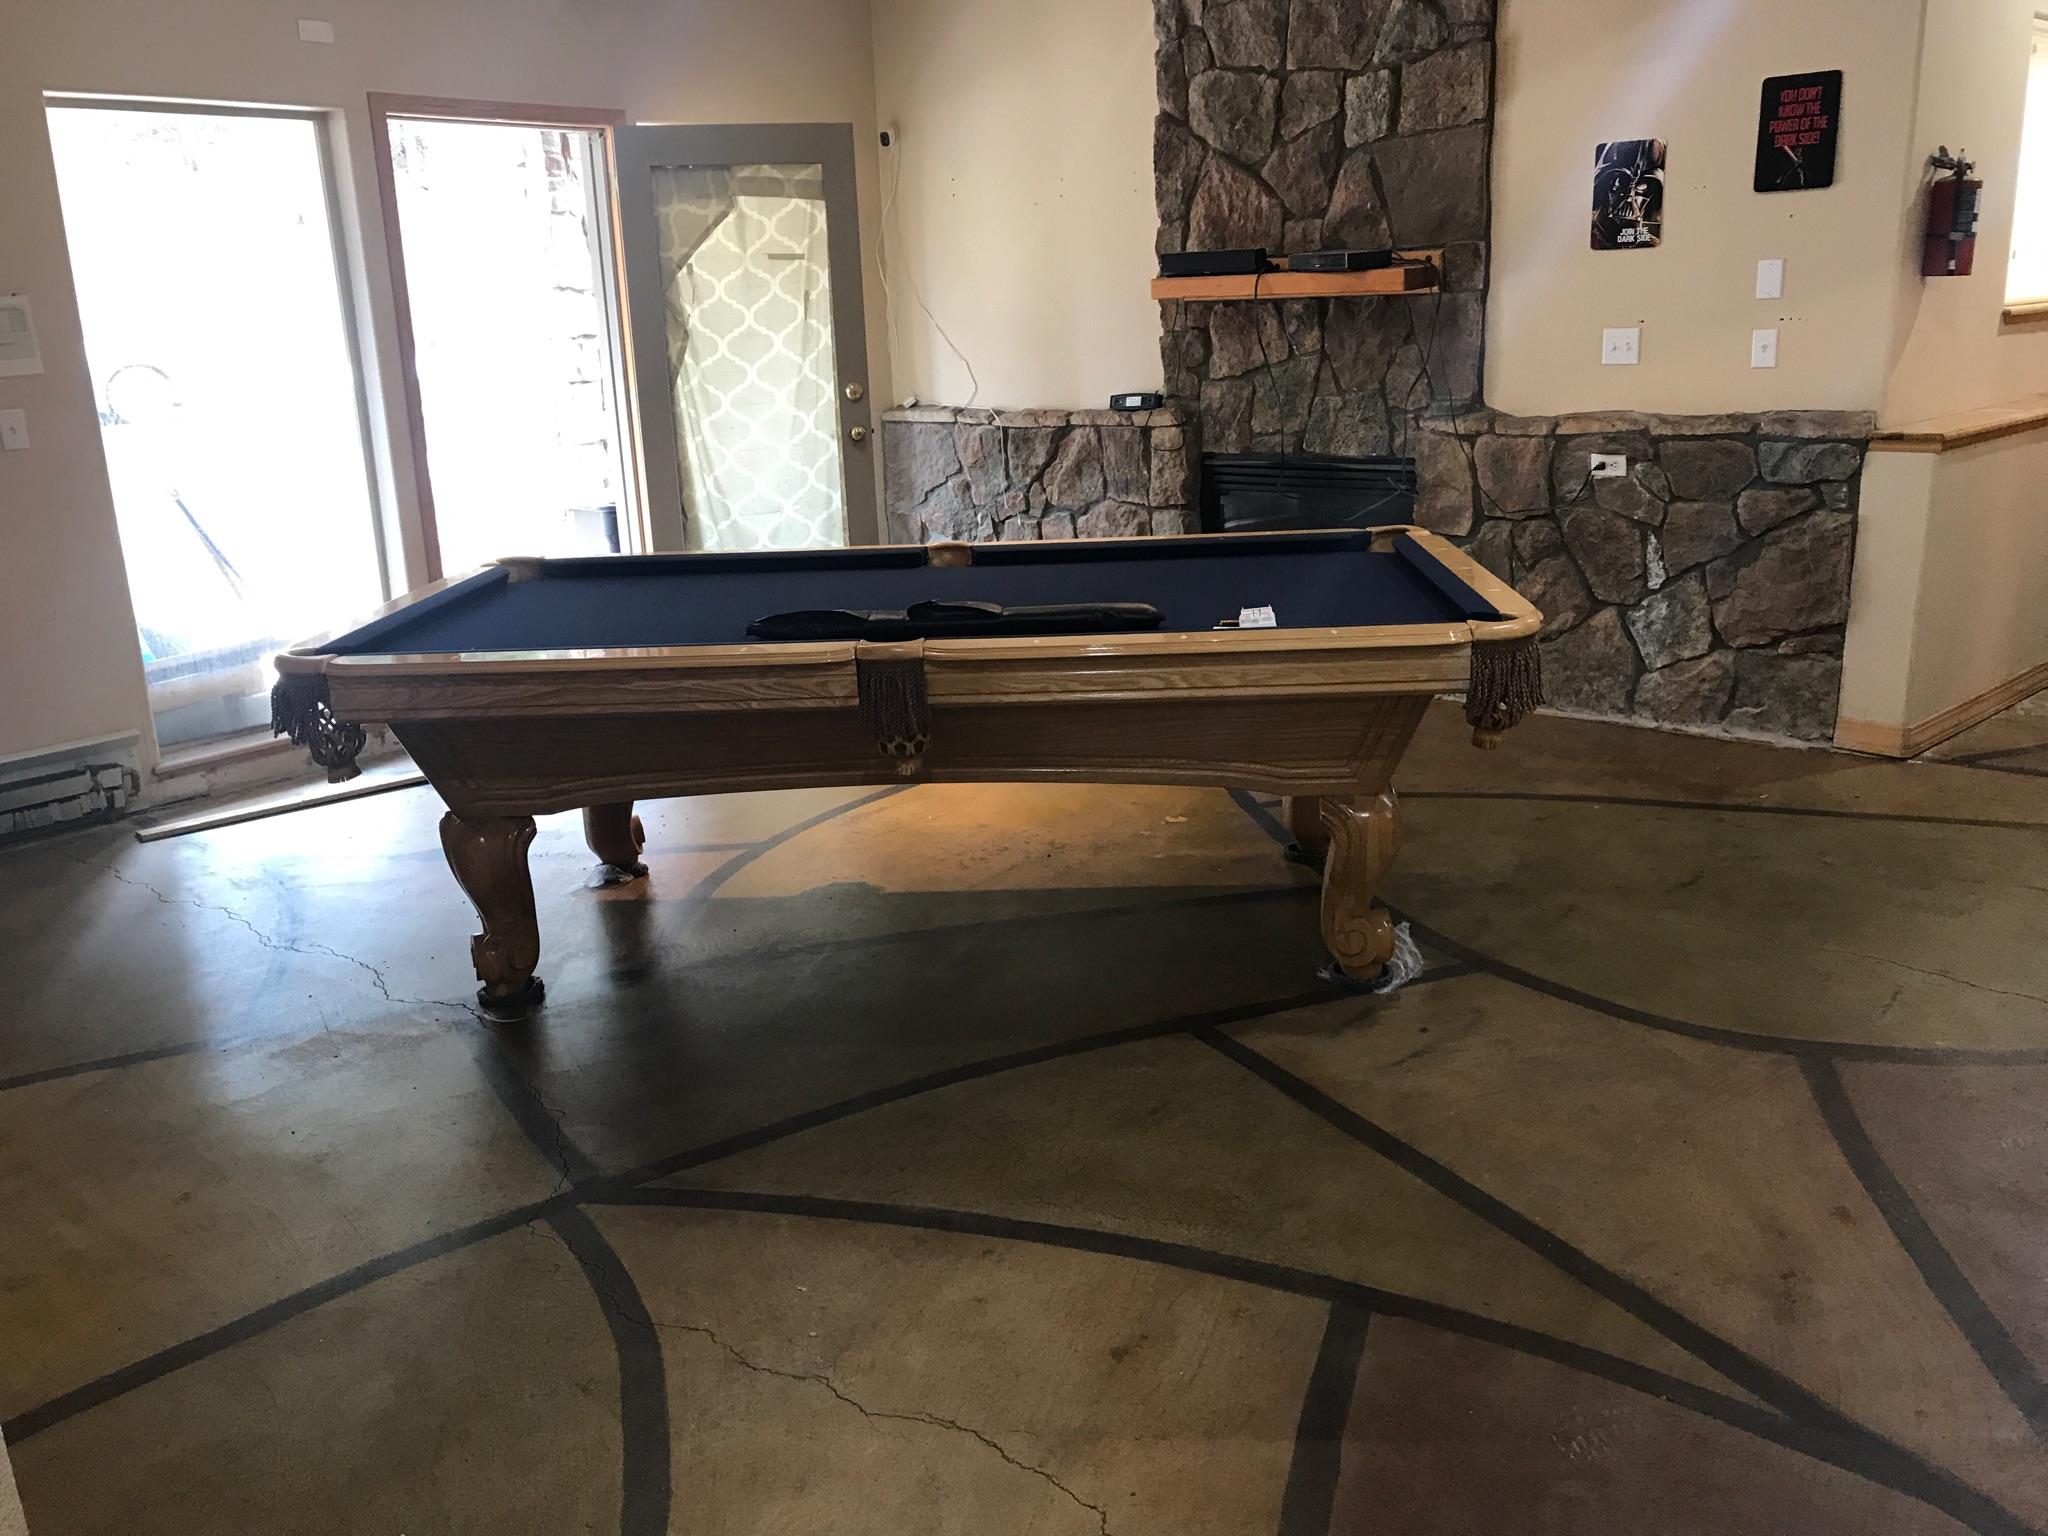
{"x":454,"y":110}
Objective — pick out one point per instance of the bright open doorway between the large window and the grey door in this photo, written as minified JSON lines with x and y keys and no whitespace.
{"x":501,"y":234}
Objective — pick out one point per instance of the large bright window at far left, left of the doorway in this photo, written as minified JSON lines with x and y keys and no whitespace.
{"x":230,"y":404}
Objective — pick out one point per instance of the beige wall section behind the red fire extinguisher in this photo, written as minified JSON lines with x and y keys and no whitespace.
{"x":1951,"y":353}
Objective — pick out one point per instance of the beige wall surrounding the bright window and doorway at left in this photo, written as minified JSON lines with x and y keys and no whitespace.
{"x":69,"y":663}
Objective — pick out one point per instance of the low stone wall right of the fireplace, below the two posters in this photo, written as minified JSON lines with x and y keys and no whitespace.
{"x":1705,"y":589}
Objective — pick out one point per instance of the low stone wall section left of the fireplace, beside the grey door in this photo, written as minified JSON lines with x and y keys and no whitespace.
{"x":1033,"y":474}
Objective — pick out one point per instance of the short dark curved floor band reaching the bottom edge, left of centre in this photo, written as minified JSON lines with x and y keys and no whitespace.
{"x":644,"y":1451}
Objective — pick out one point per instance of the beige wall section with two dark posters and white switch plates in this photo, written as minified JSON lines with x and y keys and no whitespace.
{"x":1576,"y":73}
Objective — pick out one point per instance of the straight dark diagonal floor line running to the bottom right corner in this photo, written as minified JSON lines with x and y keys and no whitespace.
{"x":1895,"y":1465}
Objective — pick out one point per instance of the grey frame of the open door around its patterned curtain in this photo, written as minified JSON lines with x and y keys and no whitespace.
{"x":828,"y":146}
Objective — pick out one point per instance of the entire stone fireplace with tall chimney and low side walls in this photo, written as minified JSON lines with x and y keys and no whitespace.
{"x":1707,"y":589}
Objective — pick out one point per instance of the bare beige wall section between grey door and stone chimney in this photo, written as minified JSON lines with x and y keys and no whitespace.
{"x":1025,"y":208}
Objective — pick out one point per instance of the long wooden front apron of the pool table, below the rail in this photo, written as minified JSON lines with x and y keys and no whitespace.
{"x":534,"y":736}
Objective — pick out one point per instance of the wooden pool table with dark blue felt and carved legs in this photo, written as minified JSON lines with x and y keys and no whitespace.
{"x":552,"y":685}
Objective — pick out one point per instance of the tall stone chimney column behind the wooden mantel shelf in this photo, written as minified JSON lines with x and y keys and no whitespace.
{"x":1320,"y":124}
